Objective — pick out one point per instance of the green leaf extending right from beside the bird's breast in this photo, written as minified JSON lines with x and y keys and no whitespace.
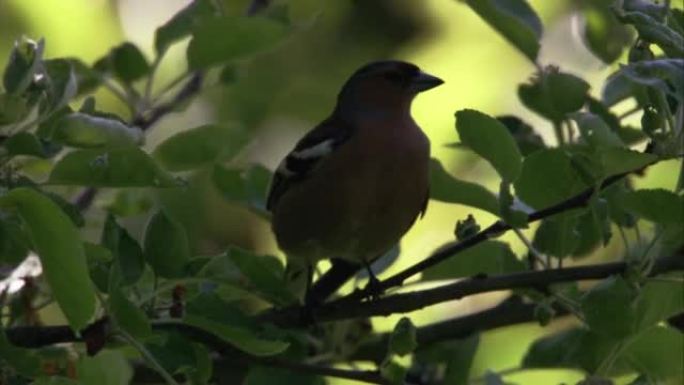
{"x":446,"y":188}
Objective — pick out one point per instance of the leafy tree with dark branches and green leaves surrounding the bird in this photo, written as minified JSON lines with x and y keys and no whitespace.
{"x":154,"y":311}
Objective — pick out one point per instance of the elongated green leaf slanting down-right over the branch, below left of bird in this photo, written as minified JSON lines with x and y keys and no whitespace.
{"x":227,"y":322}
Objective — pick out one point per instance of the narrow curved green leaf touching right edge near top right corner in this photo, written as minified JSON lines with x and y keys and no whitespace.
{"x":654,"y":31}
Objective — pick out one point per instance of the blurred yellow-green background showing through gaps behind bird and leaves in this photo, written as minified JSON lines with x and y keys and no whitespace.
{"x":282,"y":93}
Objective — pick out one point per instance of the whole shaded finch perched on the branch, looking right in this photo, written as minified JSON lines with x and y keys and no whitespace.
{"x":357,"y":182}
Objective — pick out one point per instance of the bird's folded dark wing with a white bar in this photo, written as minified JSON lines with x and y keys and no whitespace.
{"x":307,"y":154}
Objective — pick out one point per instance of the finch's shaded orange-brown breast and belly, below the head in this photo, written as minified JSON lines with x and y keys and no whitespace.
{"x":379,"y":188}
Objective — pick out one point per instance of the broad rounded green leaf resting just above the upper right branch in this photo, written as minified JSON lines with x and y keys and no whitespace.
{"x":547,"y":178}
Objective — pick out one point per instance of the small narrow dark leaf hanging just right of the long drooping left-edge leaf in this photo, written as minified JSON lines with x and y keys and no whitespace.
{"x":126,"y":251}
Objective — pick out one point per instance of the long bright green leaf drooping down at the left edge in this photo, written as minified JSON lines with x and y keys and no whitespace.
{"x":58,"y":244}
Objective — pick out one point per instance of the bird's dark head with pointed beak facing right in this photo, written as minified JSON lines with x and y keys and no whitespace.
{"x":385,"y":86}
